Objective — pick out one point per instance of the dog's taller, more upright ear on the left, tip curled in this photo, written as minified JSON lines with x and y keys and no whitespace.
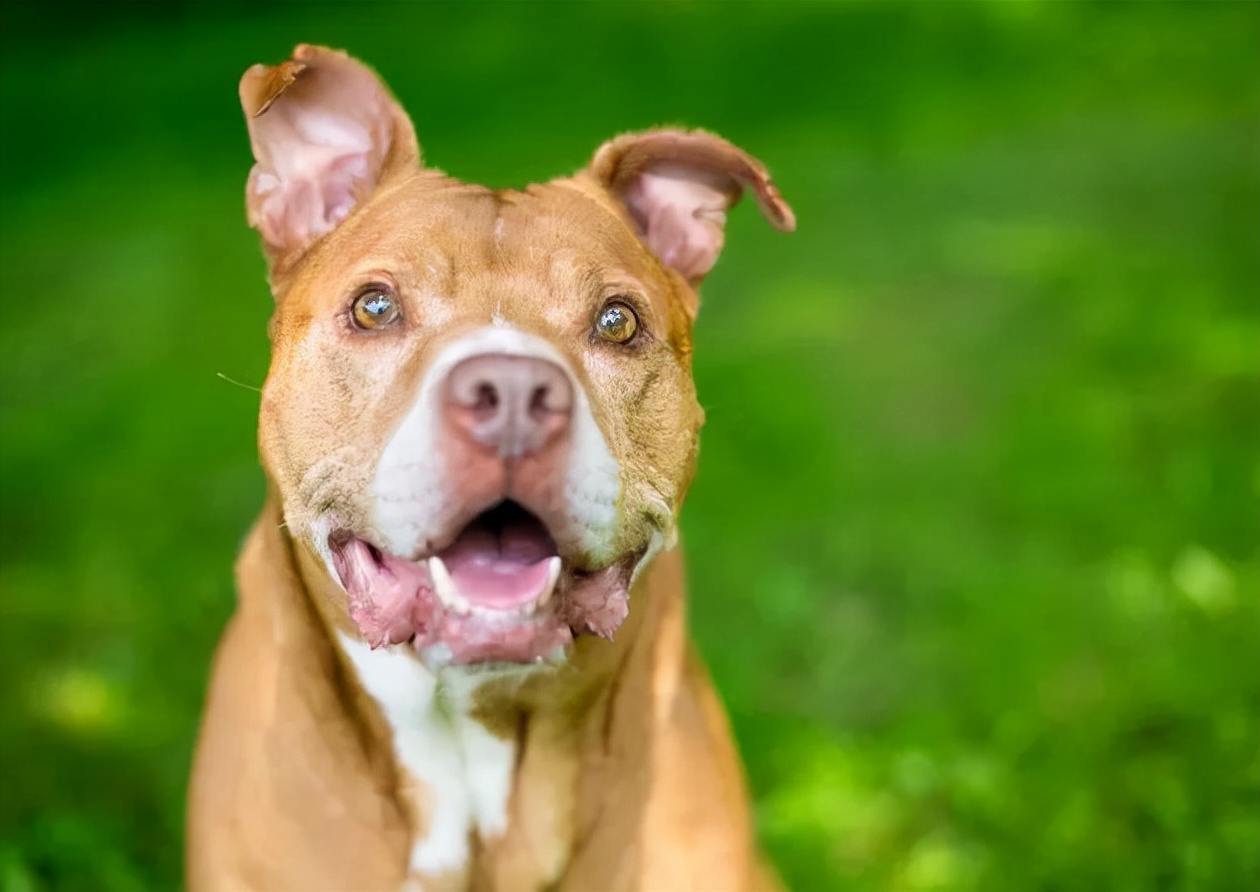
{"x":326,"y":133}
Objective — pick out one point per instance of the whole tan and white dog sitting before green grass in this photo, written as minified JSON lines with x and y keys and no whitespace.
{"x":459,"y":660}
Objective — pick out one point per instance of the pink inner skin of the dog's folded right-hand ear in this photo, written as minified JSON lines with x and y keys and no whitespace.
{"x":682,"y":216}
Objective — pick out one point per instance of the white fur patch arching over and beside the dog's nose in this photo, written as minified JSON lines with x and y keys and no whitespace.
{"x":411,"y":496}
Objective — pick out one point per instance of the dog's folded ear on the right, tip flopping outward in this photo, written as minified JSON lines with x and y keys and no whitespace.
{"x":677,"y":187}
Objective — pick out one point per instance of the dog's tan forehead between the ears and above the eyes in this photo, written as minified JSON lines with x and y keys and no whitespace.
{"x":542,"y":258}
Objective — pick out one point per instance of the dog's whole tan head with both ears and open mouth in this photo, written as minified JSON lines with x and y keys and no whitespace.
{"x":479,"y":415}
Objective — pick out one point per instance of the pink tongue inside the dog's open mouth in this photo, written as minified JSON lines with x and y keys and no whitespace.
{"x":498,"y":573}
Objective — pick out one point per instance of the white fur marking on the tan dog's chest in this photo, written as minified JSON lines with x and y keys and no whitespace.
{"x":464,"y":769}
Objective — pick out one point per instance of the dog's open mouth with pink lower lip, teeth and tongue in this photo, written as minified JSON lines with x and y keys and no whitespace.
{"x":498,"y":594}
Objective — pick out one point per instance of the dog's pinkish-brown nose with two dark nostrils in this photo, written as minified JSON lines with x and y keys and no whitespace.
{"x":516,"y":405}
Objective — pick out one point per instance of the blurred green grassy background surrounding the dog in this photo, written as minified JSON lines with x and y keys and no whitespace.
{"x":976,"y":544}
